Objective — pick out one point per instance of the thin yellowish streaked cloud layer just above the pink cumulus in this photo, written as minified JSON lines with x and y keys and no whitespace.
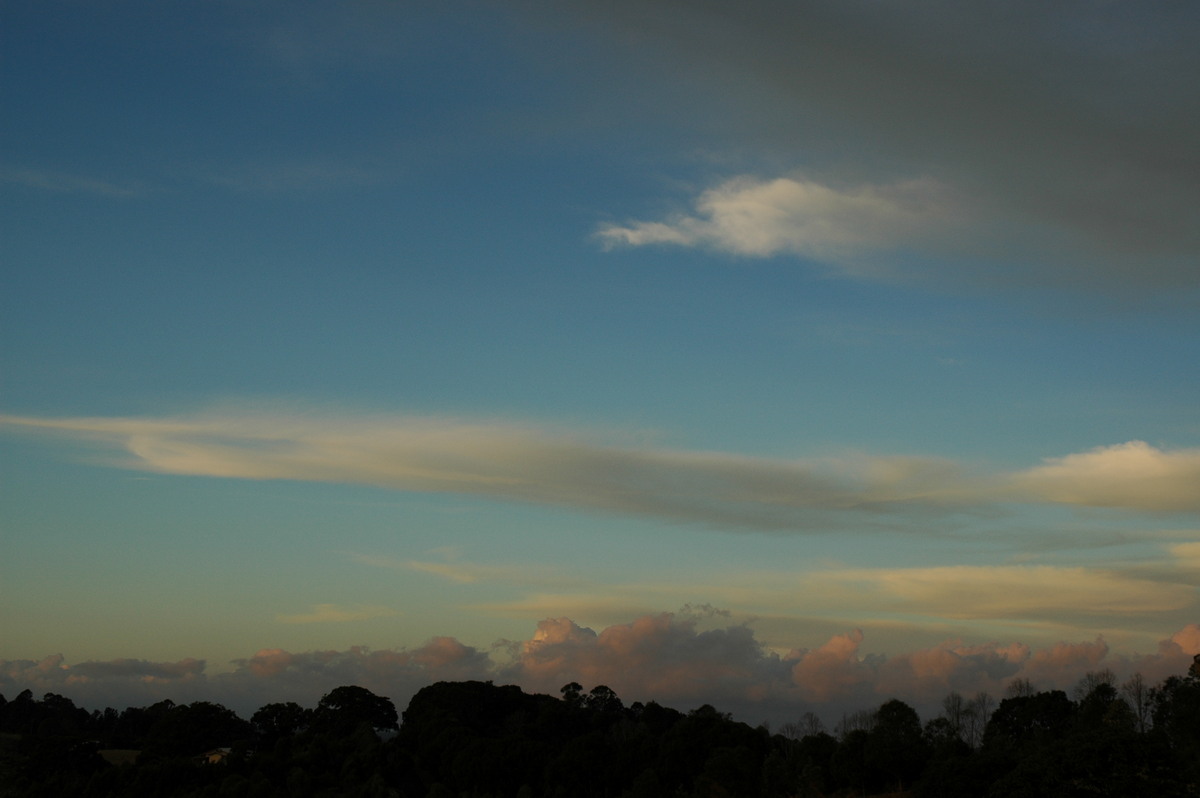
{"x":1006,"y":599}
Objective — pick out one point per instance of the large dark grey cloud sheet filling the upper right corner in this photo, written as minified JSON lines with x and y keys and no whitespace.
{"x":1077,"y":118}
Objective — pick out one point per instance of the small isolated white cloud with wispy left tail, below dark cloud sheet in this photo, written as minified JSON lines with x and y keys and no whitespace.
{"x":758,"y":218}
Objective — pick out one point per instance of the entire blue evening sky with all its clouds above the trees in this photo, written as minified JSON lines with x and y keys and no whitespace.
{"x":783,"y":357}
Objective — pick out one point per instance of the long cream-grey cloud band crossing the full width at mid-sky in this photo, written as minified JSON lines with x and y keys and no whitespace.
{"x":547,"y":466}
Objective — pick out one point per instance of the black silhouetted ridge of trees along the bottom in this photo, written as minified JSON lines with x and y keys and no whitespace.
{"x":477,"y":740}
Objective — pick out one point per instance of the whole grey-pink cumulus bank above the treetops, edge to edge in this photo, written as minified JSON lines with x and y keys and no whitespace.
{"x":664,"y":657}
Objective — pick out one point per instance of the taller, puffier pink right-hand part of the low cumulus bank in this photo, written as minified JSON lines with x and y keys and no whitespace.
{"x":668,"y":658}
